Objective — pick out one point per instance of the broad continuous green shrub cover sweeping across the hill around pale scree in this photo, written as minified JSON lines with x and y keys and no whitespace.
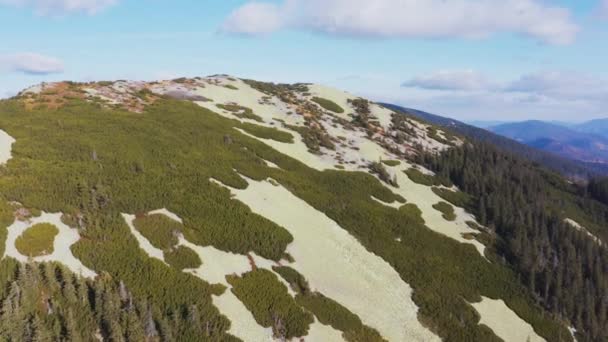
{"x":165,"y":157}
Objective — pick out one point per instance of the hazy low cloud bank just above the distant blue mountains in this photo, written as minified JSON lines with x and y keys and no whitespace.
{"x":548,"y":95}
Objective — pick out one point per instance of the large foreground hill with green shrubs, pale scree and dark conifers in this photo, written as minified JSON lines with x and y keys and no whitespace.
{"x":226,"y":209}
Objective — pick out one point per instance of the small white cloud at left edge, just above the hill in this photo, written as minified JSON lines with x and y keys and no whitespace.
{"x":31,"y":63}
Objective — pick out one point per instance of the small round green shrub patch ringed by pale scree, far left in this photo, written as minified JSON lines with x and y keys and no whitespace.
{"x":37,"y":240}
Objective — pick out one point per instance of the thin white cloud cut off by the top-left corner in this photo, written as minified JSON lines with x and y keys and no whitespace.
{"x":54,"y":7}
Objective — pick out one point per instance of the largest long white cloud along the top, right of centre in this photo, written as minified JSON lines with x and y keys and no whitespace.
{"x":471,"y":19}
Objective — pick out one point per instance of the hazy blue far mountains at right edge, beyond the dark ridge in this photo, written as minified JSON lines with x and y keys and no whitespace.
{"x":557,"y":139}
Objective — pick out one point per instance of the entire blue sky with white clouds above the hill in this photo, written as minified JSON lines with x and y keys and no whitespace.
{"x":500,"y":60}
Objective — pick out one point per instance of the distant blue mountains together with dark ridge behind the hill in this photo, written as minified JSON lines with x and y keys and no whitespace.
{"x":544,"y":153}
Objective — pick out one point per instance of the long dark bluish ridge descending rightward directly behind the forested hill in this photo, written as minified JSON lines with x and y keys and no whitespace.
{"x":565,"y":165}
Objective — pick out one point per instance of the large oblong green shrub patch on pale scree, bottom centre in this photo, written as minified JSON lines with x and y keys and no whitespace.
{"x":270,"y":303}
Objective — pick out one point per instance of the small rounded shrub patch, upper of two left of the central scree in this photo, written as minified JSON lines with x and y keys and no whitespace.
{"x":160,"y":230}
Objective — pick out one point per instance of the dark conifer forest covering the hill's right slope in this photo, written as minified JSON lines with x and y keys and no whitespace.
{"x":525,"y":207}
